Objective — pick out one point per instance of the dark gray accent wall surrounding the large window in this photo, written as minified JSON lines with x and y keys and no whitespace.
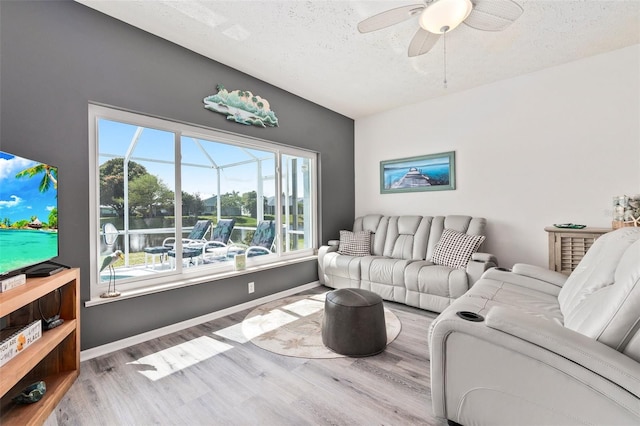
{"x":58,"y":56}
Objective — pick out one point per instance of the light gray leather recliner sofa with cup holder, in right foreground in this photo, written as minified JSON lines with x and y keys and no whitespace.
{"x":539,"y":348}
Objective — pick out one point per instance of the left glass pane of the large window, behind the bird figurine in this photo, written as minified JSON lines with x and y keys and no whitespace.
{"x":140,"y":207}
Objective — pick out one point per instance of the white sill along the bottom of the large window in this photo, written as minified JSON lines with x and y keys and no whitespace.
{"x":129,"y":294}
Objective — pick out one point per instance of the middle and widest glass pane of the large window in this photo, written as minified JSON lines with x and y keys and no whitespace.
{"x":224,"y":181}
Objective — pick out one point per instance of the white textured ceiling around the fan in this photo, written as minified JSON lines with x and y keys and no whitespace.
{"x":313,"y":48}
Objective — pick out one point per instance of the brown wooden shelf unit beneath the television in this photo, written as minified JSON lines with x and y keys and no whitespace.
{"x":54,"y":358}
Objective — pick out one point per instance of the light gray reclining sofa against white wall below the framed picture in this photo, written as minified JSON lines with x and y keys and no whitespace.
{"x":399,"y":264}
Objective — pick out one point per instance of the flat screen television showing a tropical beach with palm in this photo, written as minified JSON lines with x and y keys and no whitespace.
{"x":28,"y":213}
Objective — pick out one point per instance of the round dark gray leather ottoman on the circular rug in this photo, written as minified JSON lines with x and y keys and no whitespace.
{"x":353,"y":322}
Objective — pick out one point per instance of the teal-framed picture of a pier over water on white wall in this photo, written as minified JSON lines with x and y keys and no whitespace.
{"x":435,"y":172}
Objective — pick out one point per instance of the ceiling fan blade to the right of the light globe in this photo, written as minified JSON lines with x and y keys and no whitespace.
{"x":493,"y":15}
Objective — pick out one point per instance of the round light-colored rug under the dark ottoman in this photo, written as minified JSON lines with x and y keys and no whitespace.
{"x":292,"y":327}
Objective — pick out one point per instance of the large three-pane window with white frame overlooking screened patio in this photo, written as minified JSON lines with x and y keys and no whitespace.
{"x":176,"y":204}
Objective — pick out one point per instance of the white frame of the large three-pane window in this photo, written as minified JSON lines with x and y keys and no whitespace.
{"x":189,"y":276}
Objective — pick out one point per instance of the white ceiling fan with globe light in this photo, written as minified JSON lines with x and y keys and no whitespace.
{"x":438,"y":17}
